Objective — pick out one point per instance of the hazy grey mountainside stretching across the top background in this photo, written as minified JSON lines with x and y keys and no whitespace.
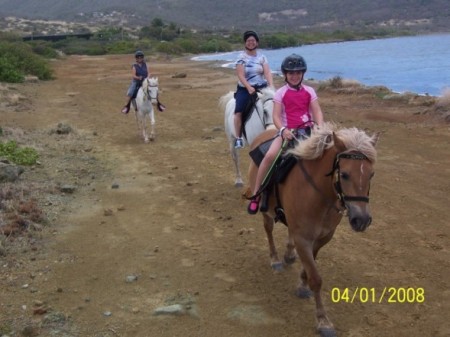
{"x":264,"y":15}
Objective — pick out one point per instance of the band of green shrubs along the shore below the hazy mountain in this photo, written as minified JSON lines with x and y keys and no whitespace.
{"x":159,"y":37}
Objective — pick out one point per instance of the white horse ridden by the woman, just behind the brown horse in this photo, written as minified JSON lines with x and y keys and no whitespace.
{"x":259,"y":120}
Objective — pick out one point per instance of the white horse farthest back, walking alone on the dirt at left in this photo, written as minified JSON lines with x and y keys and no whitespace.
{"x":143,"y":105}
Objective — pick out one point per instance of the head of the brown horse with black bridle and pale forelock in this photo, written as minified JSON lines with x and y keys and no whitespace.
{"x":352,"y":173}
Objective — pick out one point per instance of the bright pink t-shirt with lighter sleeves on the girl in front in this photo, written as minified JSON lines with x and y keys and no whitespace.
{"x":295,"y":105}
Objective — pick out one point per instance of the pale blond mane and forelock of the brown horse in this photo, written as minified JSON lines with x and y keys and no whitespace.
{"x":321,"y":139}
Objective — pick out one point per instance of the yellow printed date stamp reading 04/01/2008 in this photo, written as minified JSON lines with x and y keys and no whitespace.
{"x":383,"y":295}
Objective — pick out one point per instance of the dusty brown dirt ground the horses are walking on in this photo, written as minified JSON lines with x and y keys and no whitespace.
{"x":177,"y":222}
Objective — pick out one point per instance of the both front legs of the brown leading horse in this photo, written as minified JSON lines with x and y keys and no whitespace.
{"x":310,"y":277}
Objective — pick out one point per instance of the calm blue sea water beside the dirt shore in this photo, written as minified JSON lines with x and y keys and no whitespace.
{"x":418,"y":64}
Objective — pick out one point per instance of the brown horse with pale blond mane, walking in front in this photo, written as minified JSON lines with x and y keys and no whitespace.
{"x":331,"y":176}
